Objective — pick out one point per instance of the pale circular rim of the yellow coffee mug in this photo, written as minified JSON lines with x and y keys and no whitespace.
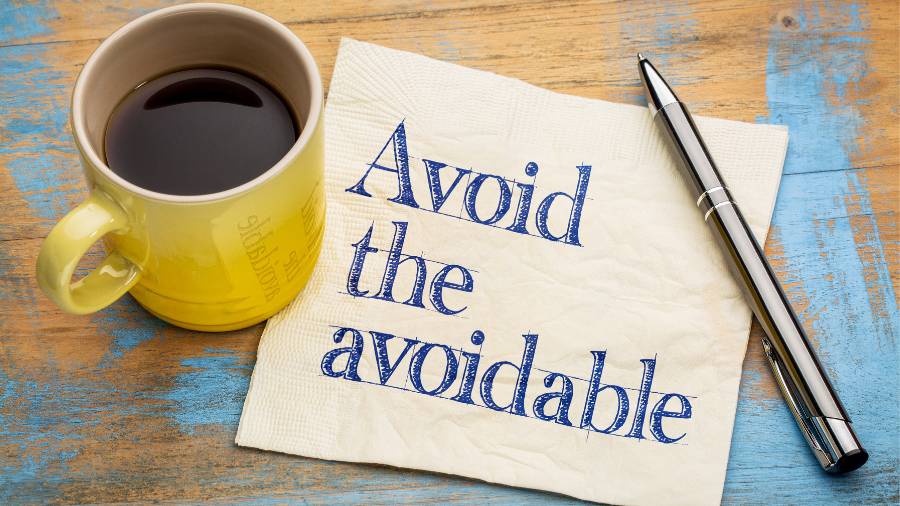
{"x":307,"y":130}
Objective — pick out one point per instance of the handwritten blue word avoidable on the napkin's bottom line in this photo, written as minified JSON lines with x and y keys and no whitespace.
{"x":448,"y":367}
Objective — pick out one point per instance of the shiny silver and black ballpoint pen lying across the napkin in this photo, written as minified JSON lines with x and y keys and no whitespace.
{"x":809,"y":395}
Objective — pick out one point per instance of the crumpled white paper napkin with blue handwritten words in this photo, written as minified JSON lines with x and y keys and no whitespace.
{"x":621,"y":285}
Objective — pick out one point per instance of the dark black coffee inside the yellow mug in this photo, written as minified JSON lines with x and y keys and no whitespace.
{"x":198,"y":131}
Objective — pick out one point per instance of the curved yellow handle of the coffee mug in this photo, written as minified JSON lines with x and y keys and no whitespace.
{"x":69,"y":241}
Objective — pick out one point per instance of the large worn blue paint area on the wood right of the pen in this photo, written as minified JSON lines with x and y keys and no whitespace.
{"x":848,"y":298}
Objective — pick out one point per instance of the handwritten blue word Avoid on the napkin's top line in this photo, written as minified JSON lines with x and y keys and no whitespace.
{"x":445,"y":181}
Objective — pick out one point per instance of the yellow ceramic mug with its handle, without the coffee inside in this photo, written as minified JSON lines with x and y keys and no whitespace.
{"x":212,"y":262}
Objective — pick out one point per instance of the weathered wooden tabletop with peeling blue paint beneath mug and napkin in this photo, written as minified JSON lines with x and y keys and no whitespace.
{"x":120,"y":407}
